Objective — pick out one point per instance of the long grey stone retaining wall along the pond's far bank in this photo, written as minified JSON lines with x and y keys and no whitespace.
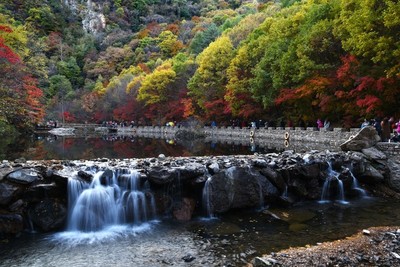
{"x":299,"y":139}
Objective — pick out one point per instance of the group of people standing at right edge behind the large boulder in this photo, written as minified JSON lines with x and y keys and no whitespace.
{"x":385,"y":128}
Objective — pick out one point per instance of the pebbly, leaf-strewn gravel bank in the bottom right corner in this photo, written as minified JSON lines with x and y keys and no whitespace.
{"x":377,"y":246}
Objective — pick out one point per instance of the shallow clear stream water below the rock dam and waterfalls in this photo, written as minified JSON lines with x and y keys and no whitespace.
{"x":231,"y":240}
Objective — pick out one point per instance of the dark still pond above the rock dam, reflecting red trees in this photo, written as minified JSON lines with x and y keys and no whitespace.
{"x":46,"y":146}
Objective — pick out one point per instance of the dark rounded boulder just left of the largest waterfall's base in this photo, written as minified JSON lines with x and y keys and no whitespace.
{"x":48,"y":215}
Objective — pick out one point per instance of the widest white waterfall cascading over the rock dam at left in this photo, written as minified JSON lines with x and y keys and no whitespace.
{"x":112,"y":198}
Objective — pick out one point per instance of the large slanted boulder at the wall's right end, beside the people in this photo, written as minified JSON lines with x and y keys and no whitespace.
{"x":367,"y":137}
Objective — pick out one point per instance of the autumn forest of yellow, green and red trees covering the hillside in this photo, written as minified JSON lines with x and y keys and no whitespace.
{"x":153,"y":61}
